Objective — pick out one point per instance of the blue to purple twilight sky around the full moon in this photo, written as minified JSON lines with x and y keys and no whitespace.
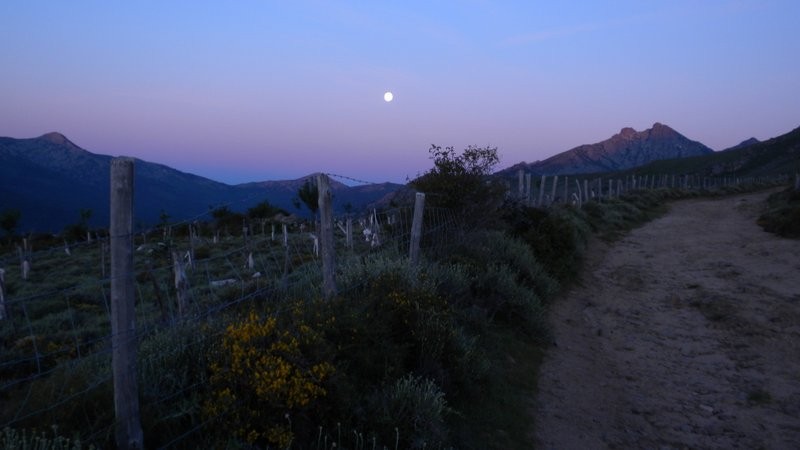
{"x":258,"y":90}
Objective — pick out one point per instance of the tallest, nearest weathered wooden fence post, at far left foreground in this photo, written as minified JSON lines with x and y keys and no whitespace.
{"x":123,"y":318}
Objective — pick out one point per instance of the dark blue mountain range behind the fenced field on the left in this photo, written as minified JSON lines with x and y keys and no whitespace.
{"x":50,"y":179}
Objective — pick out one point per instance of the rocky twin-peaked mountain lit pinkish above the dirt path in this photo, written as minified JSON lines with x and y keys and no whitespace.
{"x":627,"y":149}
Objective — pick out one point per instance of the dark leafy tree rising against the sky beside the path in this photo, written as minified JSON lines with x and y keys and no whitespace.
{"x":461,"y":182}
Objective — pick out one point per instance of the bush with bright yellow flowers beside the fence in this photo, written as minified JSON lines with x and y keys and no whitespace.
{"x":262,"y":375}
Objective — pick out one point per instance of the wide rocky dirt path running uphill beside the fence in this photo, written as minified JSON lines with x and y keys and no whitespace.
{"x":684,"y":334}
